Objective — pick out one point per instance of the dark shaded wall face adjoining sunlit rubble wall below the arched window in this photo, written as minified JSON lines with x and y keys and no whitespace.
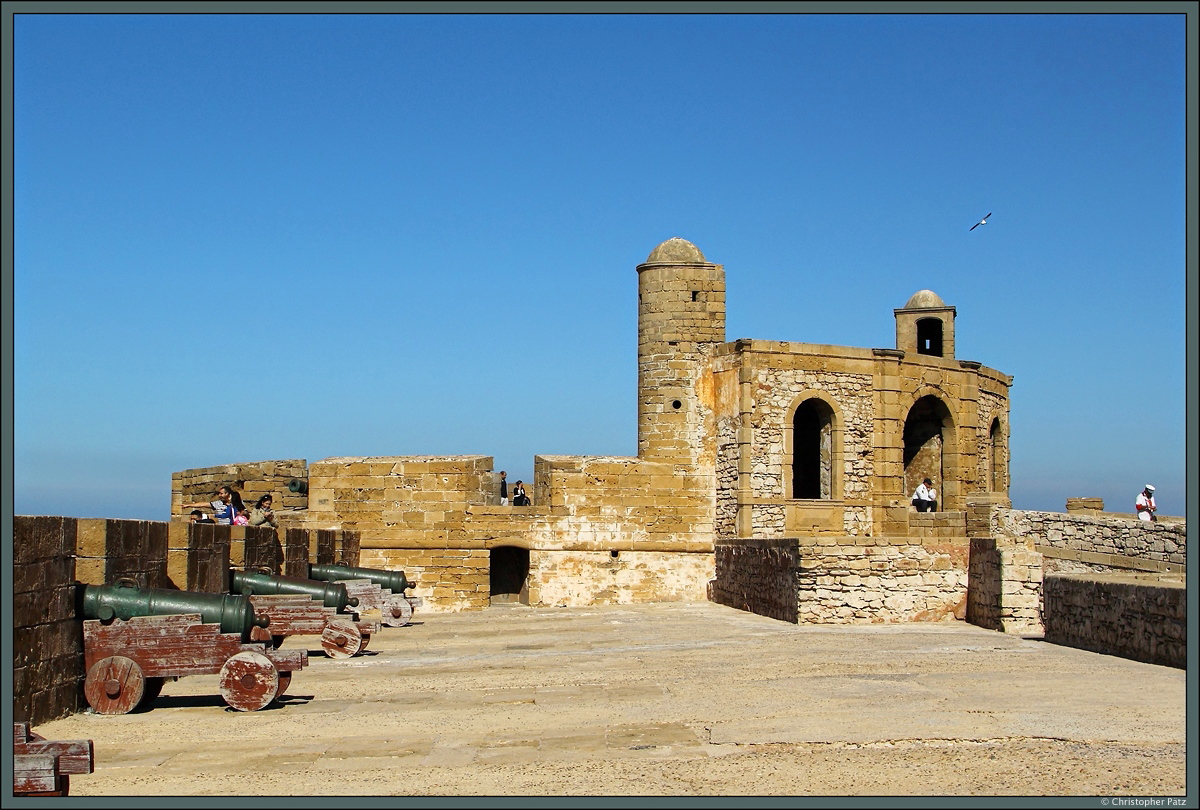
{"x":758,"y":577}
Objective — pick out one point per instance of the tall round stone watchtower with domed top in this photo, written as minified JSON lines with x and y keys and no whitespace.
{"x":681,"y":319}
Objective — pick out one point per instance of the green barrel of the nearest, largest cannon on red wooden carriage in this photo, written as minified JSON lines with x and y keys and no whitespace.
{"x":127,"y":601}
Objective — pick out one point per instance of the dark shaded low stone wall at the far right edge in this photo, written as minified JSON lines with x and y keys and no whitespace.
{"x":1143,"y":619}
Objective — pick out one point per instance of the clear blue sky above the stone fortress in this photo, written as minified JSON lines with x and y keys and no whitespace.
{"x":242,"y":238}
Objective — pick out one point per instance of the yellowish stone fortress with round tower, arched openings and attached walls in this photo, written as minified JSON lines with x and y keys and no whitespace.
{"x":802,"y":455}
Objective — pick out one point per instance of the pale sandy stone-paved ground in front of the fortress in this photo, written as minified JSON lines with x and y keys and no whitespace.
{"x":673,"y":700}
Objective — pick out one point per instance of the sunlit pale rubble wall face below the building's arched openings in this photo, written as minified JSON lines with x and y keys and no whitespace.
{"x":875,"y":580}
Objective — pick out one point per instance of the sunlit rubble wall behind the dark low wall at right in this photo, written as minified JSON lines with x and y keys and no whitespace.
{"x":1103,"y":543}
